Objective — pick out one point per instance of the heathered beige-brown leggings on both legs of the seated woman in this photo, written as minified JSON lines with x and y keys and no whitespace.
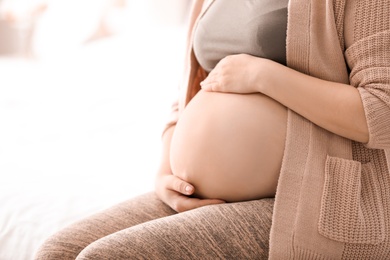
{"x":146,"y":228}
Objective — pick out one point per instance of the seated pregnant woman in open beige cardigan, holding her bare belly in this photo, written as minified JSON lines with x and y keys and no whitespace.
{"x":278,"y":146}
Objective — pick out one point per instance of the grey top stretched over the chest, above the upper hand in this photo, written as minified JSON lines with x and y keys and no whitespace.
{"x":255,"y":27}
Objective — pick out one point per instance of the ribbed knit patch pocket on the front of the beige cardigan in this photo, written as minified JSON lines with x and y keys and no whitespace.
{"x":351,"y":206}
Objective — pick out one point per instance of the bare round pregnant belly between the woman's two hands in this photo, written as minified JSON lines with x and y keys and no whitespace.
{"x":230,"y":146}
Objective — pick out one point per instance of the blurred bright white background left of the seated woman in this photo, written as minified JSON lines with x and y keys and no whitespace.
{"x":85,"y":90}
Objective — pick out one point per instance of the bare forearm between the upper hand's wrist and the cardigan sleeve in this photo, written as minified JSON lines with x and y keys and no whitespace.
{"x":333,"y":106}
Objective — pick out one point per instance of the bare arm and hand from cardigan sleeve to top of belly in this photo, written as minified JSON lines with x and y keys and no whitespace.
{"x":334,"y":106}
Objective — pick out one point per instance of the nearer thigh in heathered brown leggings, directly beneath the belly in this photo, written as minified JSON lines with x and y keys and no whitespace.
{"x":226,"y":231}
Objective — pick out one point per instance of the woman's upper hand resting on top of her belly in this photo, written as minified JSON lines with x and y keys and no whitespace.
{"x":235,"y":74}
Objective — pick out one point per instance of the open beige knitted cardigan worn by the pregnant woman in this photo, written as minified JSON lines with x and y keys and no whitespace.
{"x":333,"y":195}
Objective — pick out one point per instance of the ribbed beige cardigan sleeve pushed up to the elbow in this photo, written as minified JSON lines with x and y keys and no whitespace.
{"x":369,"y":60}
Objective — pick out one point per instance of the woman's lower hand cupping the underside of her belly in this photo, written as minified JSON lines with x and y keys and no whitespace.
{"x":175,"y":192}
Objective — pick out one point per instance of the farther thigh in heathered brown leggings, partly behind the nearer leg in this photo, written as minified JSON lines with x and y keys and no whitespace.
{"x":69,"y":242}
